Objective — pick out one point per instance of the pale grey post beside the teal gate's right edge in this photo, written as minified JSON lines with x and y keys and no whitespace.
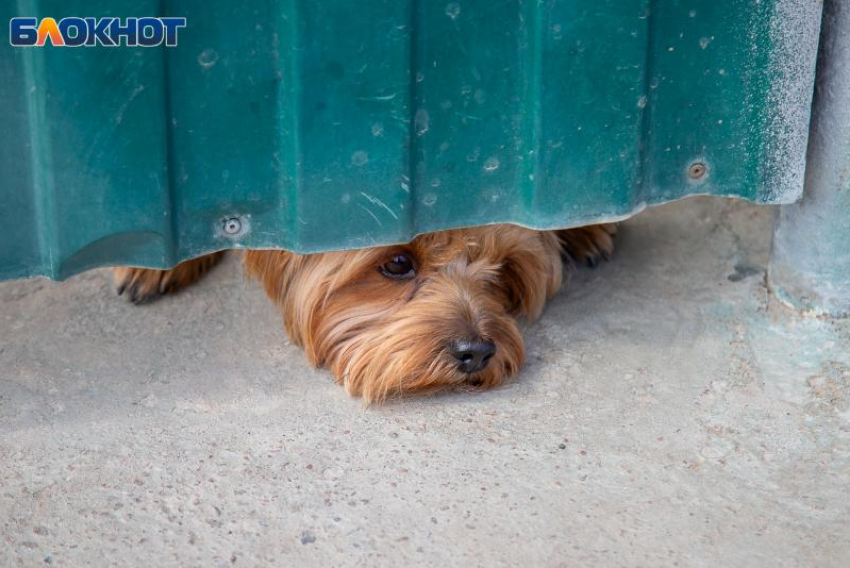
{"x":810,"y":265}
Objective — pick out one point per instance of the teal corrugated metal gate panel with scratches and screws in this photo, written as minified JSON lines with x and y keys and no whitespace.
{"x":340,"y":124}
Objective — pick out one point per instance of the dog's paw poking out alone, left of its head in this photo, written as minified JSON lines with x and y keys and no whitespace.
{"x":145,"y":284}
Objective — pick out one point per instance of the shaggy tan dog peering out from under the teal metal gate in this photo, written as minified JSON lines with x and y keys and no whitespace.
{"x":439,"y":312}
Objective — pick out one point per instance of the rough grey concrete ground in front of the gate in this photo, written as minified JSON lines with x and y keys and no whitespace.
{"x":671,"y":413}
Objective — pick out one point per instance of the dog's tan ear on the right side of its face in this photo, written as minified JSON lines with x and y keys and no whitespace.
{"x":532,"y":274}
